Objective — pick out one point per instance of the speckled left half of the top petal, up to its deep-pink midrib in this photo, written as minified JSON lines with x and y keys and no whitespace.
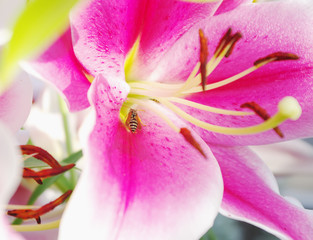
{"x":104,"y":32}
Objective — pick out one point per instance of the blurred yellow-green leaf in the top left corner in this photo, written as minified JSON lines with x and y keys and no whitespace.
{"x":39,"y":25}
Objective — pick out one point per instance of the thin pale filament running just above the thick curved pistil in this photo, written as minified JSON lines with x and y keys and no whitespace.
{"x":208,"y":108}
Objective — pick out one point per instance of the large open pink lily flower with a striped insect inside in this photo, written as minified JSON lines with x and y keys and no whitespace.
{"x":143,"y":179}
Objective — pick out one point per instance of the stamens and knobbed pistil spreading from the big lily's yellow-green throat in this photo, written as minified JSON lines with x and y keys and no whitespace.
{"x":149,"y":94}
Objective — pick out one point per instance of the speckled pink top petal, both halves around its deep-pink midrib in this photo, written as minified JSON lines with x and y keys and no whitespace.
{"x":102,"y":45}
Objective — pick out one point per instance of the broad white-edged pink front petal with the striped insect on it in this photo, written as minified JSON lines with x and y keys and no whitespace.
{"x":147,"y":185}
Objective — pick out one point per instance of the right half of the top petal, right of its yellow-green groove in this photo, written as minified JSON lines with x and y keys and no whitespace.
{"x":164,"y":22}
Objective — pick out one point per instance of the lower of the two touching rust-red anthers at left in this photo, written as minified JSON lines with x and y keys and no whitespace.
{"x":29,"y":173}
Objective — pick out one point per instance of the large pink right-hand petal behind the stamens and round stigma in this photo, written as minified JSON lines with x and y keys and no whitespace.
{"x":271,"y":31}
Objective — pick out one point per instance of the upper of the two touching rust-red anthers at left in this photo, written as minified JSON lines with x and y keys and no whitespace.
{"x":40,"y":154}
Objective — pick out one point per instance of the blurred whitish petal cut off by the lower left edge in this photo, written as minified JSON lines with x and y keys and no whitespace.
{"x":10,"y":176}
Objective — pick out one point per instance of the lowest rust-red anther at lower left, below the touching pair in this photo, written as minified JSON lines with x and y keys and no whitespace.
{"x":36,"y":213}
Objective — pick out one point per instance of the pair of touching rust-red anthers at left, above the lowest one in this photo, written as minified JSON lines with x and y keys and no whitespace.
{"x":44,"y":156}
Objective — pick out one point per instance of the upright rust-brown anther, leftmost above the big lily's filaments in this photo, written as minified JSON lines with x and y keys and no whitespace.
{"x":203,"y":57}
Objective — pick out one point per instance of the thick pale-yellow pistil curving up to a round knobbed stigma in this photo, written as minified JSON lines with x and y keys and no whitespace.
{"x":278,"y":118}
